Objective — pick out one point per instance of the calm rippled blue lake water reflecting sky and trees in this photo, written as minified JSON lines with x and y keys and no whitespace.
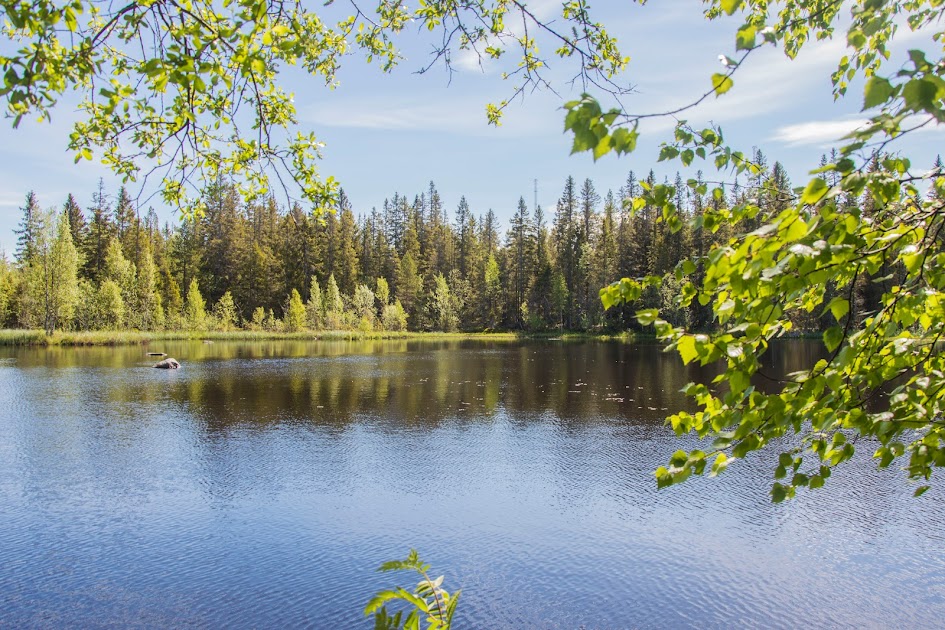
{"x":262,"y":484}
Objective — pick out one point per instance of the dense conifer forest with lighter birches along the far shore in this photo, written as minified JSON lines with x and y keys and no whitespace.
{"x":413,"y":264}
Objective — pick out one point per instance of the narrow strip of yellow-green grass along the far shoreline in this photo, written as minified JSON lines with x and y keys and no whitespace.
{"x":38,"y":338}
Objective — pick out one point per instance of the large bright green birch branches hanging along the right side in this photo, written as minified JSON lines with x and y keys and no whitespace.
{"x":881,"y":383}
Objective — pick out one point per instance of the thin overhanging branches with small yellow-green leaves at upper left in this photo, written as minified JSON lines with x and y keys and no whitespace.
{"x":187,"y":90}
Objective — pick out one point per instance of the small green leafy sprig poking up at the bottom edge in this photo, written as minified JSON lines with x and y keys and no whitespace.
{"x":430,"y":603}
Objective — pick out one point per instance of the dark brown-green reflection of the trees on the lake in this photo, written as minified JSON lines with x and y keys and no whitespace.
{"x":405,"y":382}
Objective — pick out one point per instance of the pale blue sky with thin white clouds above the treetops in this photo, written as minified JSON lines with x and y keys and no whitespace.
{"x":397,"y":132}
